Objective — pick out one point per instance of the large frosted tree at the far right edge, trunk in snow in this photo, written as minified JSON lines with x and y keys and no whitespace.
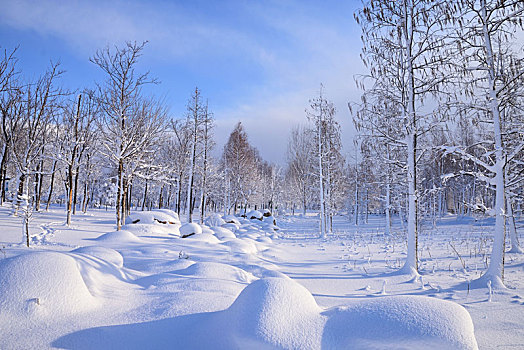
{"x":493,"y":75}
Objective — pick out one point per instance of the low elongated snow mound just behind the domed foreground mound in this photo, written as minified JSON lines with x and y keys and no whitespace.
{"x":214,"y":270}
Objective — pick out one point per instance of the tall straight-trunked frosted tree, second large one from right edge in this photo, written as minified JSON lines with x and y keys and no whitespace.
{"x":404,"y":49}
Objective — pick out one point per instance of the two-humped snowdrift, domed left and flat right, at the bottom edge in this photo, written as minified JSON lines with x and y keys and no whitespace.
{"x":280,"y":313}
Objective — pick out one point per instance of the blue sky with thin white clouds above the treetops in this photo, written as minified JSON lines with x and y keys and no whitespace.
{"x":258,"y":62}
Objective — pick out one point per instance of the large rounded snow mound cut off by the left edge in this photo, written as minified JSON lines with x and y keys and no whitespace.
{"x":44,"y":284}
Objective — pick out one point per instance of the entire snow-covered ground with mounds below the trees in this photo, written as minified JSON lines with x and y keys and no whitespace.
{"x":250,"y":284}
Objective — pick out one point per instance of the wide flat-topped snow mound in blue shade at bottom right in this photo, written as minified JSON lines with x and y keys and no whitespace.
{"x":410,"y":322}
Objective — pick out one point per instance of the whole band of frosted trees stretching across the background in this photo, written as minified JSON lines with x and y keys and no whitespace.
{"x":440,"y":130}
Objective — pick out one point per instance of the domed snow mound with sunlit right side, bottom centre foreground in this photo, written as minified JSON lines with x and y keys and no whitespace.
{"x":276,"y":312}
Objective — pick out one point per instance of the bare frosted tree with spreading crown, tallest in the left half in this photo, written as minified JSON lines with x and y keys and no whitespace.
{"x":129,"y":123}
